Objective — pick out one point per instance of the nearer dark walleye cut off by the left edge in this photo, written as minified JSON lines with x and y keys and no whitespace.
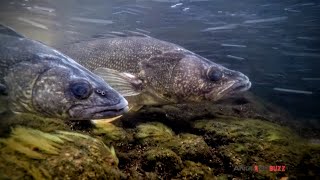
{"x":41,"y":80}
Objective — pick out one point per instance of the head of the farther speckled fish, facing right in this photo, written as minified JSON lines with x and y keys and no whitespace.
{"x":197,"y":79}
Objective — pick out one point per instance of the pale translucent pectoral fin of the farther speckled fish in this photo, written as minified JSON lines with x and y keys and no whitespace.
{"x":125,"y":83}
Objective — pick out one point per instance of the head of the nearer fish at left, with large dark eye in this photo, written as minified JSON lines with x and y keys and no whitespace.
{"x":69,"y":91}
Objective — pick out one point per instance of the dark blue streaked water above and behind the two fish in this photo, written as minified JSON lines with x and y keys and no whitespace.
{"x":275,"y":43}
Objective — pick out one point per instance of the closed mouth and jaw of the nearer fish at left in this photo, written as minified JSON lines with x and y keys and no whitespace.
{"x":80,"y":112}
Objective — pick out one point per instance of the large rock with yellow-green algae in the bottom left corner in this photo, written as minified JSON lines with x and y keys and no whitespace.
{"x":32,"y":154}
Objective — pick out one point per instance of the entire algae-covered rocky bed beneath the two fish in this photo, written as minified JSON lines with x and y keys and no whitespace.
{"x":162,"y":147}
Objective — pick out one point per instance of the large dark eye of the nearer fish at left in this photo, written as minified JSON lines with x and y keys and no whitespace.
{"x":81,"y":90}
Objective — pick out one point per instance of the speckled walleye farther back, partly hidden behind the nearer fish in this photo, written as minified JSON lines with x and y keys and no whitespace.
{"x":148,"y":71}
